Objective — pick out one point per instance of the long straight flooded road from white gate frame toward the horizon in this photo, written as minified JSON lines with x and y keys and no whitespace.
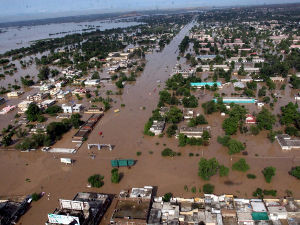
{"x":124,"y":129}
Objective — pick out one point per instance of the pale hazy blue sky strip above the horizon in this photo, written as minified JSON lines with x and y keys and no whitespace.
{"x":21,"y":8}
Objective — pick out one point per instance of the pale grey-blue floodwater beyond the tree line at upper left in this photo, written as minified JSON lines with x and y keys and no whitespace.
{"x":17,"y":37}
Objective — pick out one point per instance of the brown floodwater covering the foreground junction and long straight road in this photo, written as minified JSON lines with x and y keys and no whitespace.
{"x":124,"y":130}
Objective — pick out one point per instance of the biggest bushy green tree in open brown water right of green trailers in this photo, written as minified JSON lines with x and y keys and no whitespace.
{"x":207,"y":168}
